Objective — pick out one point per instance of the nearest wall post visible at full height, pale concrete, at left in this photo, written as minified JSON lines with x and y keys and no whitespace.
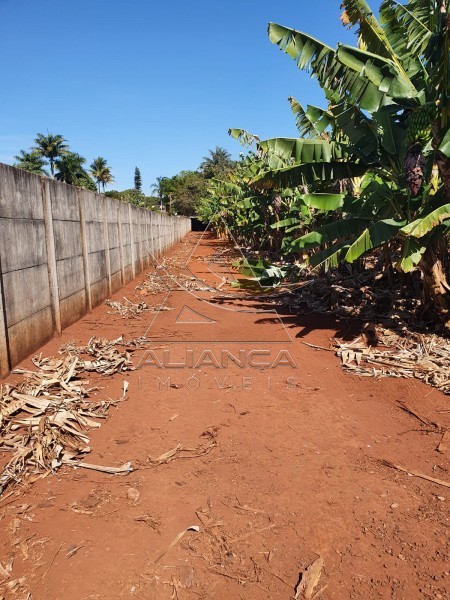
{"x":51,"y":256}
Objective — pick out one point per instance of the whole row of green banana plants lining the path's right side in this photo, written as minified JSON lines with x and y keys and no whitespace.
{"x":369,"y":173}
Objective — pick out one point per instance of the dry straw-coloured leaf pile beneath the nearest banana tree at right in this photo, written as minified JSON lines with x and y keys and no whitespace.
{"x":424,"y":357}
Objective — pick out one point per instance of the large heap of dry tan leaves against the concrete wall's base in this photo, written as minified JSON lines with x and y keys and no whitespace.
{"x":44,"y":418}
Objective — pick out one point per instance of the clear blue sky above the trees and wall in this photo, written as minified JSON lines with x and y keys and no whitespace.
{"x":150,"y":83}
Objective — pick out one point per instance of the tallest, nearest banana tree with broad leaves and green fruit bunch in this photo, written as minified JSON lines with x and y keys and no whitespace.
{"x":387,"y":109}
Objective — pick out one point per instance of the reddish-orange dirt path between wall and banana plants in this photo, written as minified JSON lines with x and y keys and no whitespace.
{"x":279,"y":465}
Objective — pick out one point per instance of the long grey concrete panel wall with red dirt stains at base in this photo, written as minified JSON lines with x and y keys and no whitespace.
{"x":63,"y":250}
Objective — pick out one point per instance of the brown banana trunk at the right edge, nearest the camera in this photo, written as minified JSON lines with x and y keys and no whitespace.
{"x":436,"y":288}
